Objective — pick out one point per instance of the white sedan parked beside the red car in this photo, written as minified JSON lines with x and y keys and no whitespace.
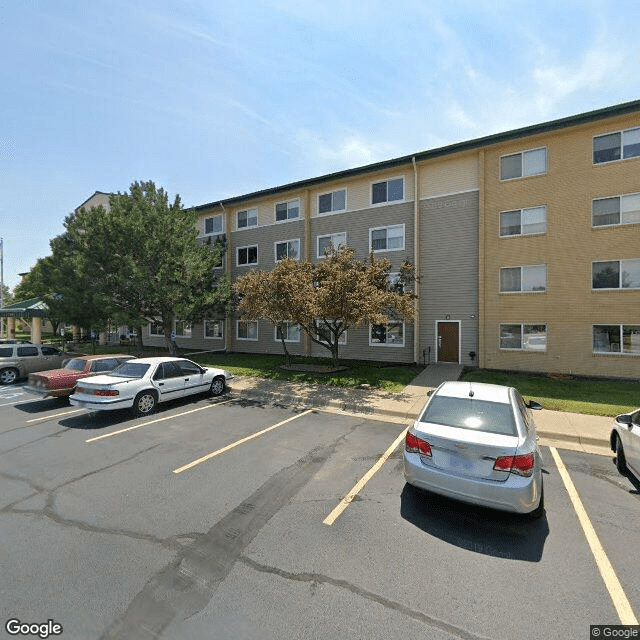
{"x":141,"y":384}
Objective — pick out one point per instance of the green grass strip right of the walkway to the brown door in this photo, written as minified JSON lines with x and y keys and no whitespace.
{"x":594,"y":397}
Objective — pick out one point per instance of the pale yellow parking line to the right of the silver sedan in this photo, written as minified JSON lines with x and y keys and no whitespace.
{"x":620,"y":601}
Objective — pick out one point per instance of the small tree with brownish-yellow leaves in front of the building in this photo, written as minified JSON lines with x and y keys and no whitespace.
{"x":328,"y":298}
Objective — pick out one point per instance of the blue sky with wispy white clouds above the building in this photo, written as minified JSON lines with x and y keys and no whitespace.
{"x":214,"y":99}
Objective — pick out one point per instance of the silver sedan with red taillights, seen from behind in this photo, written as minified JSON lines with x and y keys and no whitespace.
{"x":477,"y":443}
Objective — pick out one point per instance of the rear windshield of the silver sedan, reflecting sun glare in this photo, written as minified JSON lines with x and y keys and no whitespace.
{"x":468,"y":413}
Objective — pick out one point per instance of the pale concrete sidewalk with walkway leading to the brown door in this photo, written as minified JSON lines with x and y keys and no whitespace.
{"x":555,"y":428}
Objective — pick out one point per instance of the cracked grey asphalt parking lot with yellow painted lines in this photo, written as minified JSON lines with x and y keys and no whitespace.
{"x":223,"y":518}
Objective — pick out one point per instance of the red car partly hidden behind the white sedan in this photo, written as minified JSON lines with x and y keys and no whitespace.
{"x":60,"y":383}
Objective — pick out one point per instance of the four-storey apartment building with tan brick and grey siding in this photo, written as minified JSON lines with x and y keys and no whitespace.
{"x":526,"y":243}
